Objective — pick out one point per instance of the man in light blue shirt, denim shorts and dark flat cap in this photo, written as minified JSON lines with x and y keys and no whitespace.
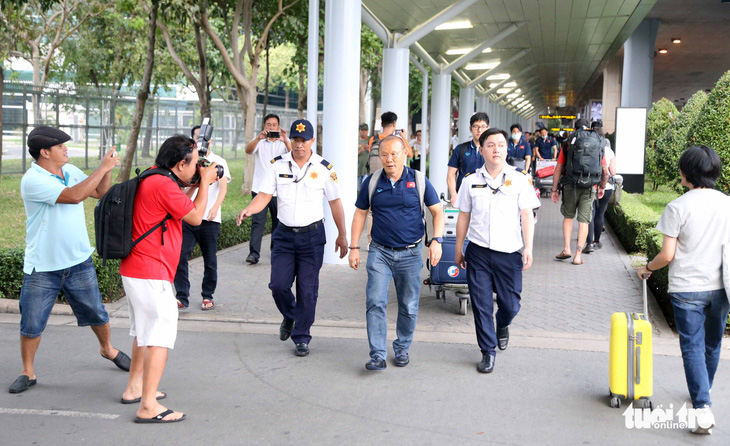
{"x":58,"y":252}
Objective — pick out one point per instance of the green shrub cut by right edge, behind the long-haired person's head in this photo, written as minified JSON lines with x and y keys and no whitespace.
{"x":711,"y":127}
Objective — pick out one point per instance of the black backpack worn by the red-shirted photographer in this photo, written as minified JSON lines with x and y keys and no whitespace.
{"x":113,"y":217}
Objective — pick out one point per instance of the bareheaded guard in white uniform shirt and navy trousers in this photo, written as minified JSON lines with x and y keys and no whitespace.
{"x":495,"y":204}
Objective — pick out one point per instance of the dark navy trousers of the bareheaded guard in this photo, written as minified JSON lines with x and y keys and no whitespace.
{"x":490,"y":271}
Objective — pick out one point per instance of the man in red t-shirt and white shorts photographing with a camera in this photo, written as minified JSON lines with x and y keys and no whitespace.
{"x":148,"y":272}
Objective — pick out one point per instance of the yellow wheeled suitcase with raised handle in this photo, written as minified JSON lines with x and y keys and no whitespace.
{"x":630,"y":374}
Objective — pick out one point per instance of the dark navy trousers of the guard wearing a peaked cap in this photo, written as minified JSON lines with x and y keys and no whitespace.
{"x":297,"y":255}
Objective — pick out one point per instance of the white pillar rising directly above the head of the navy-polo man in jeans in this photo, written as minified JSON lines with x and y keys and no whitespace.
{"x":395,"y":84}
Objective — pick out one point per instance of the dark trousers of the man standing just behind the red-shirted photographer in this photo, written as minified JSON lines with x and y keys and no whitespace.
{"x":206,"y":235}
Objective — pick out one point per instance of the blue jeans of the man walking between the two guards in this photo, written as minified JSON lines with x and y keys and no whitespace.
{"x":404,"y":267}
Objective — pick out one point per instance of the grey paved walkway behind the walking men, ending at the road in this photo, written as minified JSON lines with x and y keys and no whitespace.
{"x":563,"y":306}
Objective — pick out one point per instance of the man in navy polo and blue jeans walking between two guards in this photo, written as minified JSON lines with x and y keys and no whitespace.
{"x":396,"y":248}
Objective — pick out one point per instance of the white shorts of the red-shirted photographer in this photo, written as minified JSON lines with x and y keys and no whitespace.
{"x":152,"y":311}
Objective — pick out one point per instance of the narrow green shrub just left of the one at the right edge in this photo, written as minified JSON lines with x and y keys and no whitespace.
{"x":674,"y":141}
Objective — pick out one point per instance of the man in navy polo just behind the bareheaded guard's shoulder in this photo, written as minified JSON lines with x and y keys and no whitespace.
{"x":466,"y":157}
